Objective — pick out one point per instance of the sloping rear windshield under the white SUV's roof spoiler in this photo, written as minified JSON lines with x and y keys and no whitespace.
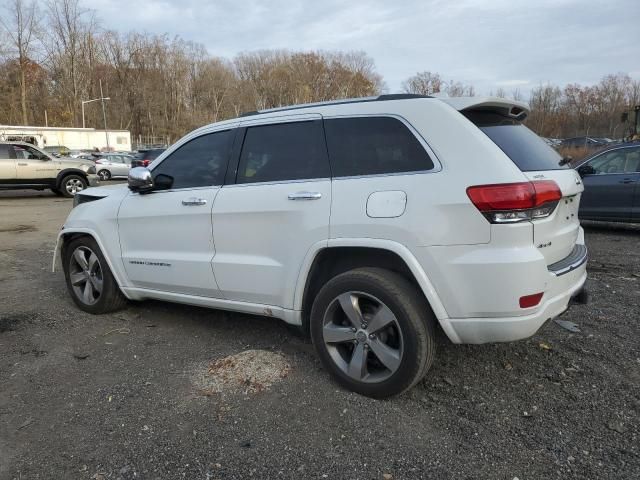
{"x":526,"y":149}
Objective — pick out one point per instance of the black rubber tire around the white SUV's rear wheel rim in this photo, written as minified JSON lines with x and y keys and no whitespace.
{"x":413,"y":319}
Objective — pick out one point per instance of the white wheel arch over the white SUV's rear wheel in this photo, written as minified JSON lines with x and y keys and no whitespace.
{"x":339,"y":255}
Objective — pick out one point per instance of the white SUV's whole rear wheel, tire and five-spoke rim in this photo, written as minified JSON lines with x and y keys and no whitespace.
{"x":374,"y":331}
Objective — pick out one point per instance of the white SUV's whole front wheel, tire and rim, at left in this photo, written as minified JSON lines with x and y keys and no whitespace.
{"x":89,"y":279}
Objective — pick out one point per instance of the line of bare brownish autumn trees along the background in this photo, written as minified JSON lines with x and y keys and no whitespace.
{"x":54,"y":54}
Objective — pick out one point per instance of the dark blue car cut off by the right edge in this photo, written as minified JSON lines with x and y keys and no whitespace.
{"x":612,"y":184}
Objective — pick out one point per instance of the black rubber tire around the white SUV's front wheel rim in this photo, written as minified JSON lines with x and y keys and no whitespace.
{"x":110,"y":297}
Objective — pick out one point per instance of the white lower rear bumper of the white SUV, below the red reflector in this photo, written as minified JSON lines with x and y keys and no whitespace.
{"x":507,"y":329}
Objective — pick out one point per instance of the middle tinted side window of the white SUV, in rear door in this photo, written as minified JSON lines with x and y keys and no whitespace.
{"x":285,"y":151}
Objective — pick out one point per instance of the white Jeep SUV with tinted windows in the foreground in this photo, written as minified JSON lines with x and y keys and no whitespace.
{"x":366,"y":222}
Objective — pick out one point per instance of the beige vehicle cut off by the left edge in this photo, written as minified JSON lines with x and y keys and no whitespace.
{"x":24,"y":166}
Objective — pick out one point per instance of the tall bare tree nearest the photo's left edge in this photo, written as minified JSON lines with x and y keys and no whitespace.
{"x":20,"y":25}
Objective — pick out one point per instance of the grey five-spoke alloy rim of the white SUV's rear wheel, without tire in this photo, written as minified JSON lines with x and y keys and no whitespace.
{"x":363,"y":337}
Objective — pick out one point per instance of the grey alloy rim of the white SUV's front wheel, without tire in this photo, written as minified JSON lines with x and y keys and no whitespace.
{"x":85,"y":275}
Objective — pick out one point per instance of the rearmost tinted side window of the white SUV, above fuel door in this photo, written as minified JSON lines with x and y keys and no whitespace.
{"x":373,"y":146}
